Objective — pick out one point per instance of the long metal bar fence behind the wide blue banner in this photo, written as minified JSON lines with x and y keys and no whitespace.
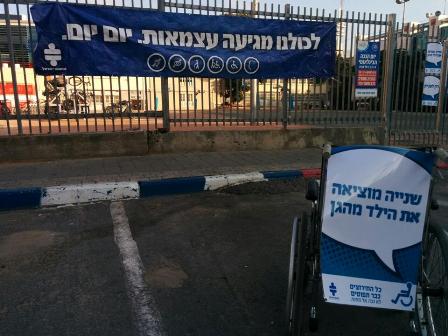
{"x":35,"y":104}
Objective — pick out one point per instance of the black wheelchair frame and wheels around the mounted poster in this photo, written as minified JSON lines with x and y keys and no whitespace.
{"x":428,"y":309}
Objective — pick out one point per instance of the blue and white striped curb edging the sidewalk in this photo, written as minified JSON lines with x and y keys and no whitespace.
{"x":22,"y":198}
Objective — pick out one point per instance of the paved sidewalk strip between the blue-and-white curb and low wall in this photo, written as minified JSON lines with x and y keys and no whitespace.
{"x":156,"y":166}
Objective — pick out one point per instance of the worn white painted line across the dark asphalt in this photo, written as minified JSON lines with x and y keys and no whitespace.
{"x":146,"y":315}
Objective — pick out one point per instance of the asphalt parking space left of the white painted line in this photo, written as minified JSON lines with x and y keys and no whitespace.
{"x":61,"y":274}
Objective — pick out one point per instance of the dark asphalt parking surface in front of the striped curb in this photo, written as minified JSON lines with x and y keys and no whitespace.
{"x":207,"y":264}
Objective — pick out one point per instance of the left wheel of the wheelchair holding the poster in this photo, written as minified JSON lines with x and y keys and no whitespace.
{"x":297,"y":278}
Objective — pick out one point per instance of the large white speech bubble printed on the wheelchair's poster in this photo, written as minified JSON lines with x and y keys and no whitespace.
{"x":379,"y":170}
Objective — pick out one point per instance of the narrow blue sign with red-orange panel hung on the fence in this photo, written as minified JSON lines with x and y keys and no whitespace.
{"x":367,"y":66}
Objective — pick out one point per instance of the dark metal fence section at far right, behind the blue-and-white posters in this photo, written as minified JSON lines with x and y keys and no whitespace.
{"x":409,"y":121}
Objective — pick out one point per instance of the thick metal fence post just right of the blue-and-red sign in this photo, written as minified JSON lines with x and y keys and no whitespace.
{"x":386,"y":99}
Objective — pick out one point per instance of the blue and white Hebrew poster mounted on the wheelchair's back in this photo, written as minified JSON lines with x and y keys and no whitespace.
{"x":373,"y":219}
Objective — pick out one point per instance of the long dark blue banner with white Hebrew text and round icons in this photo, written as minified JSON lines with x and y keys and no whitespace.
{"x":101,"y":40}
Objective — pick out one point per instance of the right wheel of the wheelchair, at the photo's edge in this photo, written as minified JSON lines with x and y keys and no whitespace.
{"x":432,"y":305}
